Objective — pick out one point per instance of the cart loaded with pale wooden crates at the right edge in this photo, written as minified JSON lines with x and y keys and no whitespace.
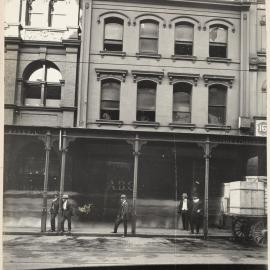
{"x":246,"y":203}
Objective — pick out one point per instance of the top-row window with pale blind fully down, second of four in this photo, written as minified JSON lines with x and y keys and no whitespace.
{"x":149,"y":36}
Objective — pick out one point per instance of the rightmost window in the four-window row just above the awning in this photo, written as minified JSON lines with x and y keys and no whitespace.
{"x":217,"y":104}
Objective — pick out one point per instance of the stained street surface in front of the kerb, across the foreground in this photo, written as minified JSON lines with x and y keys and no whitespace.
{"x":36,"y":252}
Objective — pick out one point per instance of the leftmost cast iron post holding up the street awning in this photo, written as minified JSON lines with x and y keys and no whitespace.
{"x":46,"y":177}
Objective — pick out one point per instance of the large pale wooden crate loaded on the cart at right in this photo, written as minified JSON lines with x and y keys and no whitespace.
{"x":247,"y":198}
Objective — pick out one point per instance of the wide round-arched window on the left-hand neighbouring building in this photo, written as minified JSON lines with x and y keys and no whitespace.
{"x":42,"y":85}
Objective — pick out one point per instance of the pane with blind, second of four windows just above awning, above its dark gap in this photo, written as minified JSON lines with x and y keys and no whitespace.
{"x":146,"y":99}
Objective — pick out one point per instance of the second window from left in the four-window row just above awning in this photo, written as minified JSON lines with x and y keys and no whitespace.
{"x":146,"y":101}
